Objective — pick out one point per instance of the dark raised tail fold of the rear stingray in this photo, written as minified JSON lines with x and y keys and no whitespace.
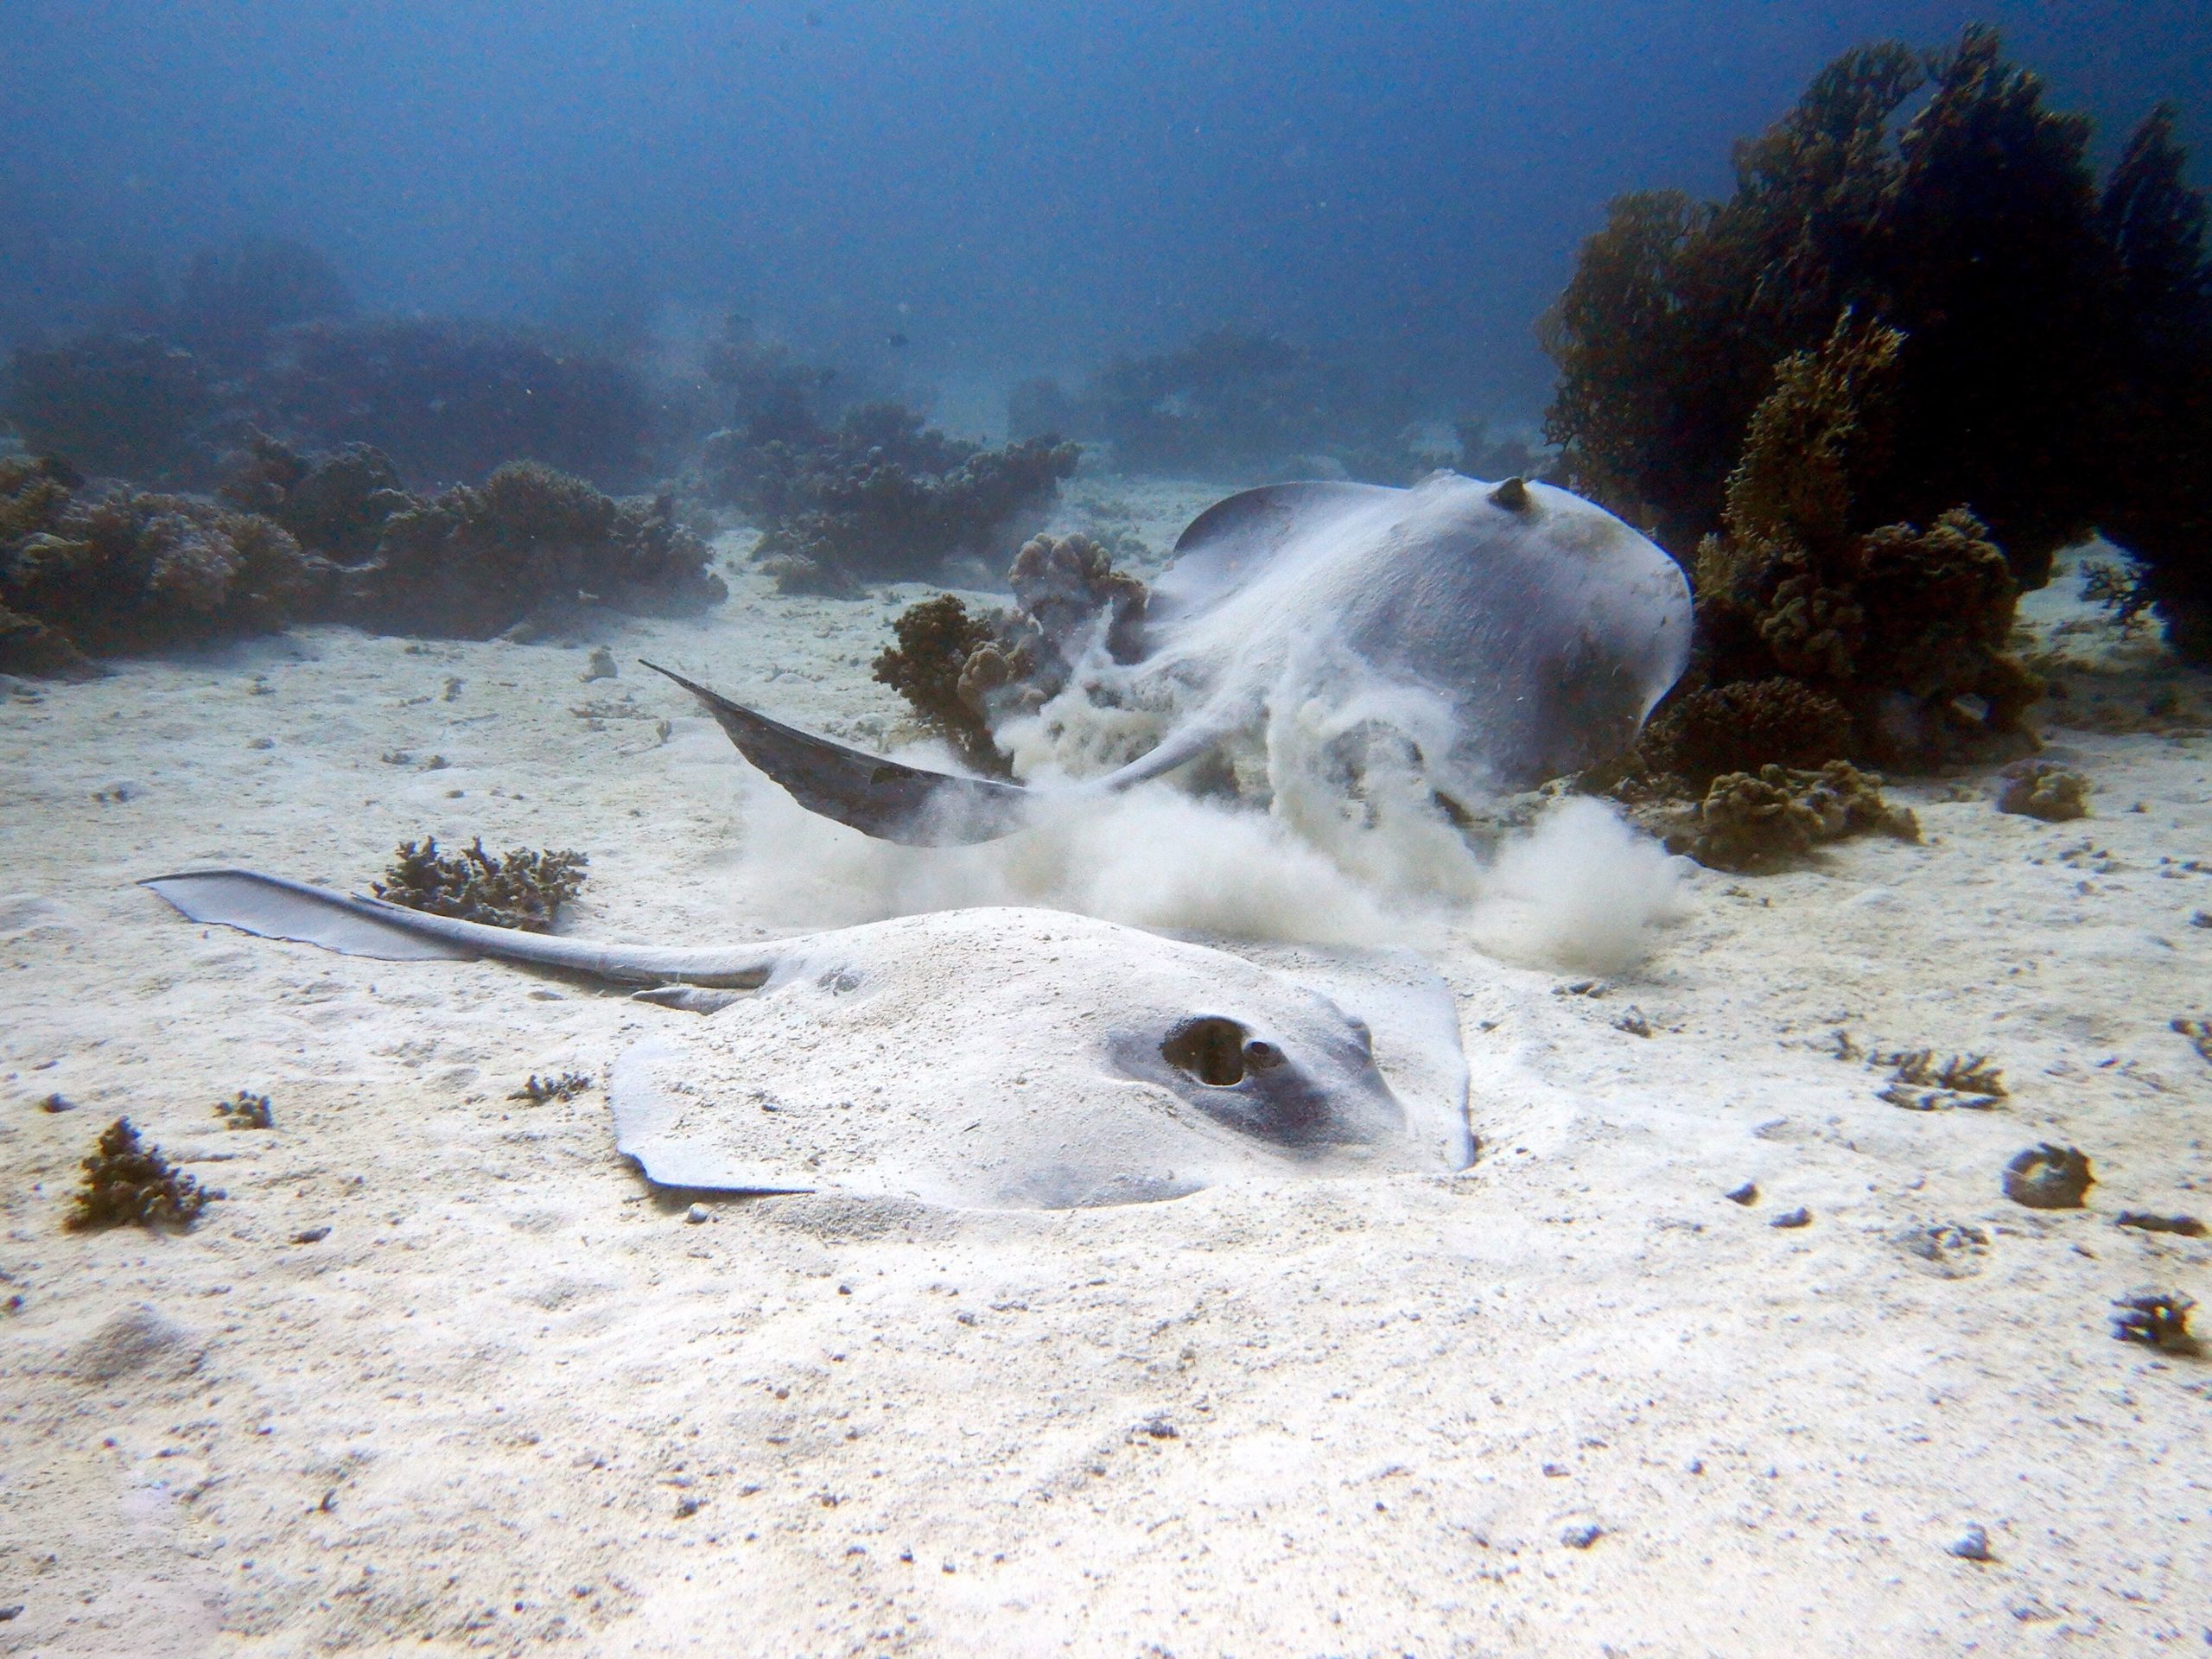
{"x":866,"y":791}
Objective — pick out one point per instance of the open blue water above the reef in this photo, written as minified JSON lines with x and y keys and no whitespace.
{"x":1012,"y":189}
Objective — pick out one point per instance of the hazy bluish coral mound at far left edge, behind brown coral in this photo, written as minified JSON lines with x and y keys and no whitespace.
{"x":125,"y":406}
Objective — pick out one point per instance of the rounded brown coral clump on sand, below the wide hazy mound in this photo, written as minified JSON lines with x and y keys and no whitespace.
{"x":530,"y":543}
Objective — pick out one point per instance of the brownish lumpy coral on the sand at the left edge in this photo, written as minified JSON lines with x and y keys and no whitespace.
{"x":107,"y":572}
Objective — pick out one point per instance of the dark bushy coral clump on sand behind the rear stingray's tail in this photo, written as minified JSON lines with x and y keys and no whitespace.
{"x":879,"y":497}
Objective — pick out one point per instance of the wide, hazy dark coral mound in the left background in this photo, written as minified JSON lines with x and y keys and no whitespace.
{"x":450,"y":401}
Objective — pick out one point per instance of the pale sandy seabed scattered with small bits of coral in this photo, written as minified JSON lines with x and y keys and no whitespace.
{"x":1572,"y":1401}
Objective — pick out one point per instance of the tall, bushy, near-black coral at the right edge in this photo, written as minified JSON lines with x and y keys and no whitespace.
{"x":2049,"y":355}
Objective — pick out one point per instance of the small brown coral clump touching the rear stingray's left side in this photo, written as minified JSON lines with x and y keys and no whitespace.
{"x":957,"y":671}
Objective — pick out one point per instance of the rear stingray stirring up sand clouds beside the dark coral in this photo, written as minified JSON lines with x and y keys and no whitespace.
{"x":1541,"y":623}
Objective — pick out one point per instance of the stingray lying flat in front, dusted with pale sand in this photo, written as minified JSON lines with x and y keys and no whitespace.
{"x":983,"y":1058}
